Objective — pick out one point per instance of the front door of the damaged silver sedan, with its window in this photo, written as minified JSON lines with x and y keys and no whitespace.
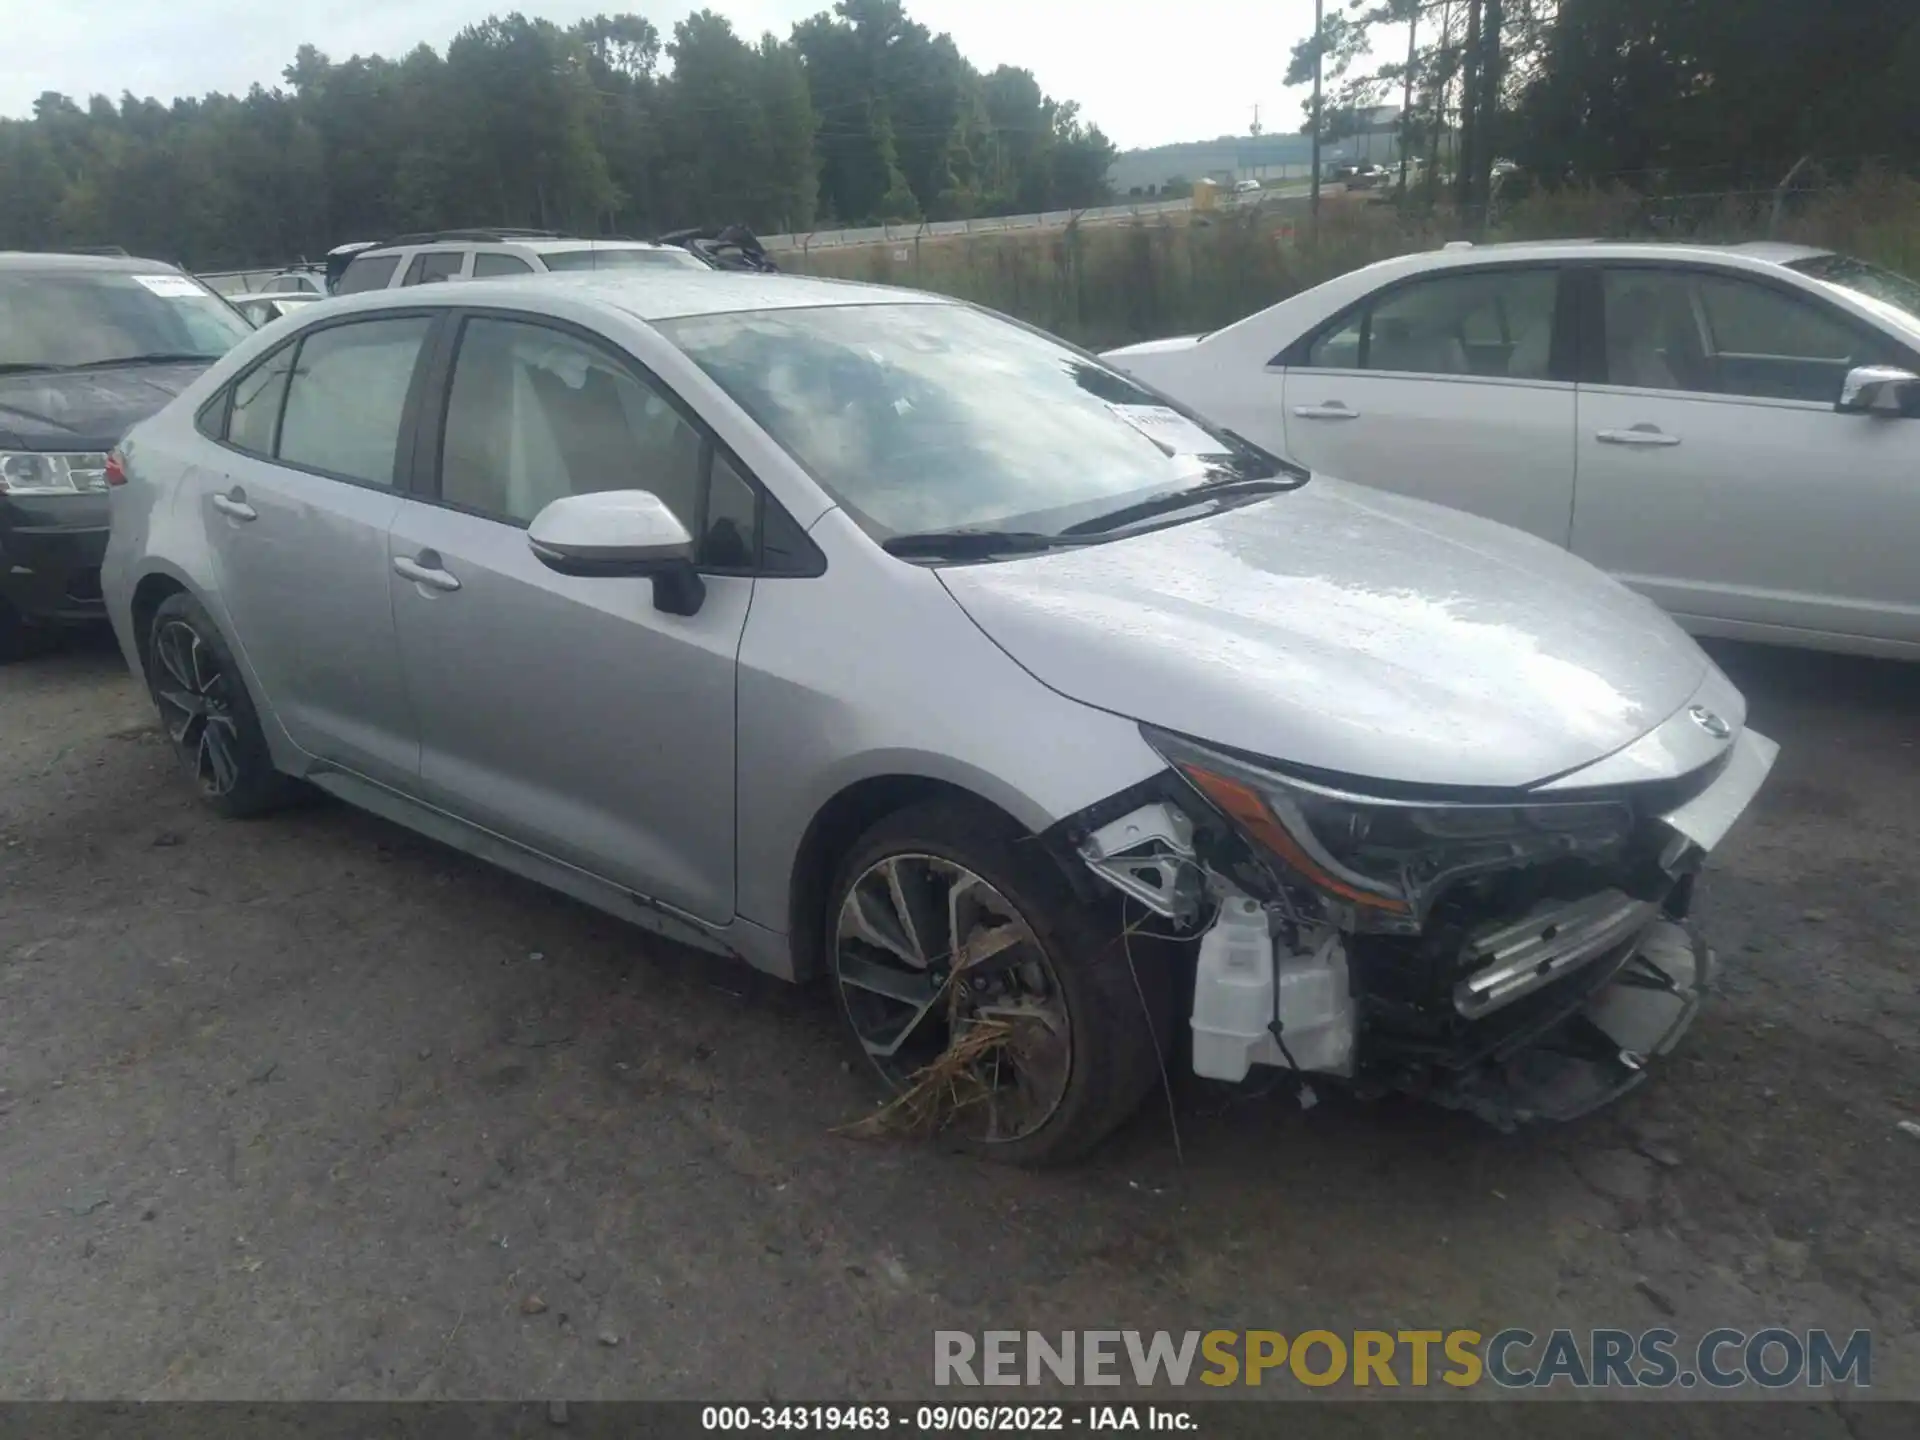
{"x":567,"y":713}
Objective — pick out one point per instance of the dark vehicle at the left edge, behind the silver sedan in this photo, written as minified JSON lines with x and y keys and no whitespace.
{"x":89,"y":347}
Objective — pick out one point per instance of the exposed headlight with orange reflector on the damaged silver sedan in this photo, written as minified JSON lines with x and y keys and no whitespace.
{"x":1380,"y":863}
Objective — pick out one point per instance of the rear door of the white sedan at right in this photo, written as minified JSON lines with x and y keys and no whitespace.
{"x":1452,"y":387}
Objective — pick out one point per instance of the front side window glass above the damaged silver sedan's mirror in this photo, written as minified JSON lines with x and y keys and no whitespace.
{"x":539,"y":414}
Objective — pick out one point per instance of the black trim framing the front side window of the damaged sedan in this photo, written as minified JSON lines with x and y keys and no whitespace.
{"x":431,"y":431}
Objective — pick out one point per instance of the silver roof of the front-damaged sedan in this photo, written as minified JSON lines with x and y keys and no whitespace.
{"x":652,"y":295}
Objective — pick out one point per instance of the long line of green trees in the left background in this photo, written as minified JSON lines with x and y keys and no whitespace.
{"x":604,"y":128}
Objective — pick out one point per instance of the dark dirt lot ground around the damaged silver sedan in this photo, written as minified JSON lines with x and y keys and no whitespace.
{"x":312,"y":1109}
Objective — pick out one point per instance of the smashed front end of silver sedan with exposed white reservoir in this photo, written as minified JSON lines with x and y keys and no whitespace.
{"x":1524,"y":957}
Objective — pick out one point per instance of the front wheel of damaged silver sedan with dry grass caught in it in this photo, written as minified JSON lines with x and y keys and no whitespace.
{"x":946,"y":926}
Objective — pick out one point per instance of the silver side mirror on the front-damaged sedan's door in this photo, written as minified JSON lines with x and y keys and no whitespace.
{"x":621,"y":533}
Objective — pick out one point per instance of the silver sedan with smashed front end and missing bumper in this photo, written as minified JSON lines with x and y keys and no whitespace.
{"x":863,"y":635}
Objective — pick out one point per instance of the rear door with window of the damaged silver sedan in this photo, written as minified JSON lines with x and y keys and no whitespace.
{"x":299,"y":529}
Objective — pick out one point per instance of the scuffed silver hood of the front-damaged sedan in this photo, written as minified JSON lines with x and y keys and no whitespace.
{"x":1349,"y":631}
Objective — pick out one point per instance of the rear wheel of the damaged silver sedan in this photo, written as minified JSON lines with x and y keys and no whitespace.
{"x":208,"y":713}
